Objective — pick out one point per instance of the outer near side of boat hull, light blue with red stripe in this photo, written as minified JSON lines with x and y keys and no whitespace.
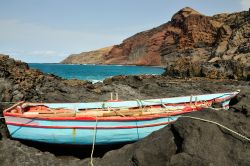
{"x":83,"y":132}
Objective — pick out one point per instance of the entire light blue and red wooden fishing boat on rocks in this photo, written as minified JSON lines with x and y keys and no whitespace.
{"x":107,"y":122}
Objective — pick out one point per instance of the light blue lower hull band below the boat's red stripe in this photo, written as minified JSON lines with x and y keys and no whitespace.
{"x":80,"y":136}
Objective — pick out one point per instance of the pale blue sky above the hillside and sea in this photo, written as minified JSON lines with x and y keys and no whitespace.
{"x":47,"y":31}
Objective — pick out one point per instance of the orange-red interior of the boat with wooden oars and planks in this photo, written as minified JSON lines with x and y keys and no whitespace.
{"x":41,"y":110}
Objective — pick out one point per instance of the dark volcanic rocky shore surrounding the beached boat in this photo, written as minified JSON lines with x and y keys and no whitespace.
{"x":185,"y":142}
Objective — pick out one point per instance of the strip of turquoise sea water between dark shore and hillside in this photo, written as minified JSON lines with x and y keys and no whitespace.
{"x":94,"y":72}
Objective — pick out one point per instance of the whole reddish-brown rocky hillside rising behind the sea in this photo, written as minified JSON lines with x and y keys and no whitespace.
{"x":188,"y":34}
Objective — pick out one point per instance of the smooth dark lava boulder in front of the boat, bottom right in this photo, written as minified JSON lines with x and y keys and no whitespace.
{"x":189,"y":142}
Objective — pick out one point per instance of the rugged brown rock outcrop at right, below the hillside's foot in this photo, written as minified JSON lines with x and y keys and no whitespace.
{"x":220,"y":69}
